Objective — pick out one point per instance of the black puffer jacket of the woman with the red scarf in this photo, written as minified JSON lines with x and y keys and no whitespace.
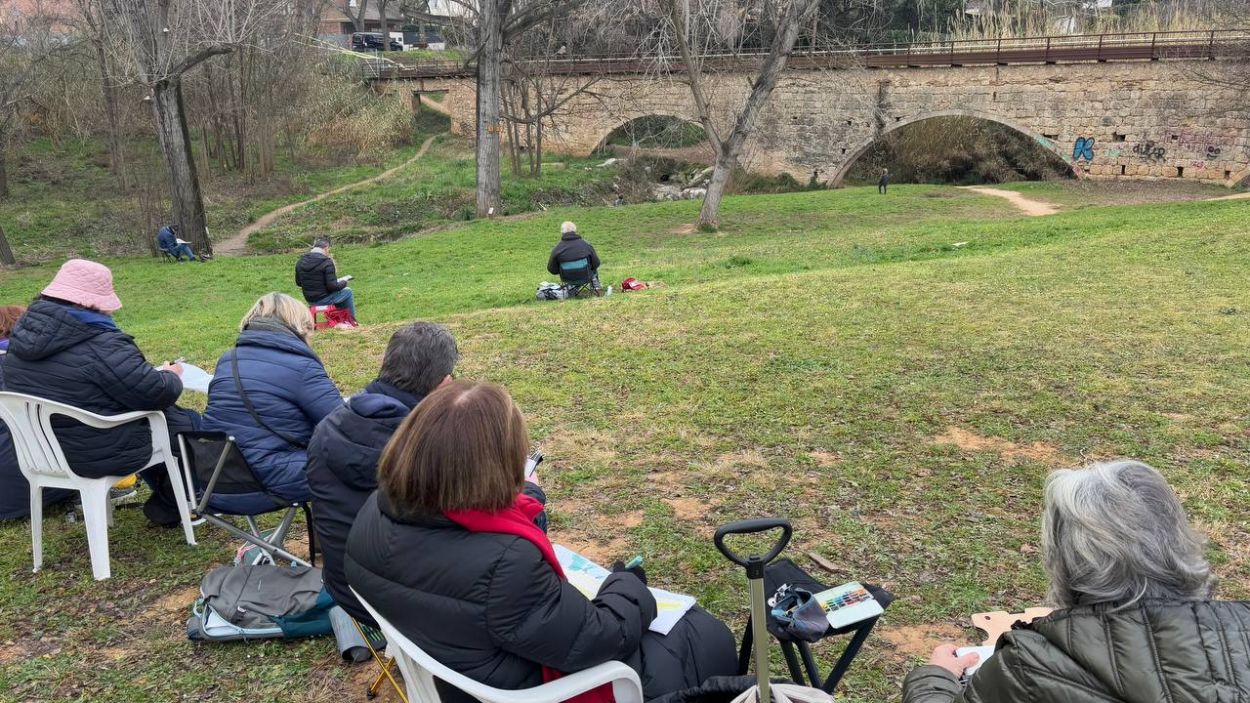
{"x":487,"y":605}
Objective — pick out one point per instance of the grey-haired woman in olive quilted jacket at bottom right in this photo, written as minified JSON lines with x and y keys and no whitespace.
{"x":1134,"y":621}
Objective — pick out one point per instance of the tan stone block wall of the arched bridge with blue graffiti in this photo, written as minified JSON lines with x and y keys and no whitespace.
{"x":1131,"y":121}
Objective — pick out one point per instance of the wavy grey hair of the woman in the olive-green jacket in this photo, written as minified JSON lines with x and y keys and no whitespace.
{"x":1117,"y":534}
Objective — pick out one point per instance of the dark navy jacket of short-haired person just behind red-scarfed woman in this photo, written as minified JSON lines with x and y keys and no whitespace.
{"x":343,"y":472}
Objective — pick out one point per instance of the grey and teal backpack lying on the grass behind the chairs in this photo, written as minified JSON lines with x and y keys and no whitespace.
{"x":261,"y":602}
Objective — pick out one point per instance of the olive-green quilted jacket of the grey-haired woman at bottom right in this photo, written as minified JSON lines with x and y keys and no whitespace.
{"x":1157,"y":652}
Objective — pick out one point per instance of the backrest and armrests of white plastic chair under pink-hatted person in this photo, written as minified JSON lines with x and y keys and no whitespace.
{"x":31,"y":423}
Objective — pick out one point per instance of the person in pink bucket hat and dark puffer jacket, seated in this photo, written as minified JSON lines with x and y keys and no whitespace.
{"x":68,"y":348}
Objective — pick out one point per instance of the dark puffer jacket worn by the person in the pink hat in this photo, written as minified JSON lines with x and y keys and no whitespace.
{"x":59,"y":353}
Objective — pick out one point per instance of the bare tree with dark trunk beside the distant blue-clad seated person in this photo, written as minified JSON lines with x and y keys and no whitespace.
{"x":158,"y":43}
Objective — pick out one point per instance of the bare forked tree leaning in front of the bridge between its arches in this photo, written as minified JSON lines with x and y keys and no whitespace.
{"x":721,"y":27}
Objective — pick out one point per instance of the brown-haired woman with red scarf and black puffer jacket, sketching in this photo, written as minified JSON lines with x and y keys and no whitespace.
{"x":448,"y":554}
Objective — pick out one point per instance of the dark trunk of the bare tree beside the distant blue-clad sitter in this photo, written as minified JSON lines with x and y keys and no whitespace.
{"x":184,"y":182}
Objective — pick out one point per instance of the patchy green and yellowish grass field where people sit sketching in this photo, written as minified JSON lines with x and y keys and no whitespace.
{"x":896,"y":375}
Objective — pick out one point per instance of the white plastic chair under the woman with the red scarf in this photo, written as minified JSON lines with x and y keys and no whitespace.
{"x":421,"y":670}
